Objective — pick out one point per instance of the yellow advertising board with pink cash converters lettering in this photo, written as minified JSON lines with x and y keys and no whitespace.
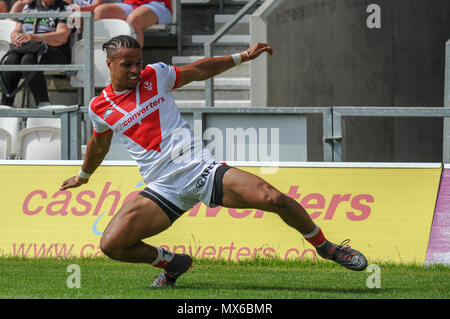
{"x":386,"y":212}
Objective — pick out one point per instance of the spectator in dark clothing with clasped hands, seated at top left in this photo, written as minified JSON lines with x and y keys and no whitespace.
{"x":54,"y":32}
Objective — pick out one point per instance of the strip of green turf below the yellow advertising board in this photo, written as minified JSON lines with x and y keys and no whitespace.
{"x":268,"y":279}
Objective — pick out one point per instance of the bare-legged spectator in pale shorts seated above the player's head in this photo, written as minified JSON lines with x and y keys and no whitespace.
{"x":140,"y":14}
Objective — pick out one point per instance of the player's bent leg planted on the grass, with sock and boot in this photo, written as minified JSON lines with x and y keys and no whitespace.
{"x":141,"y":218}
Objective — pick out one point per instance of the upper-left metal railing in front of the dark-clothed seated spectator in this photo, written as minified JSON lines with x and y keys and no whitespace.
{"x":88,"y":38}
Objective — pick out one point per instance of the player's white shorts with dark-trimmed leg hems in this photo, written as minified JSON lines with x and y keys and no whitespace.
{"x":181,"y":189}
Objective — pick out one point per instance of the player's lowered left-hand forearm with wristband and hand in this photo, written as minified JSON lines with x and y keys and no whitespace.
{"x":96,"y":151}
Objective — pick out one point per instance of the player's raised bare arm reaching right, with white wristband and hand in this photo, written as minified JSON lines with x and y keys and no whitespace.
{"x":206,"y":68}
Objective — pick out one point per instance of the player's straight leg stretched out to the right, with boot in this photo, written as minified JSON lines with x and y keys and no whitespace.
{"x":245,"y":190}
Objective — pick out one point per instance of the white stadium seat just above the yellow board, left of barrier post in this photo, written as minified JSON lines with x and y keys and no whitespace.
{"x":41,"y":139}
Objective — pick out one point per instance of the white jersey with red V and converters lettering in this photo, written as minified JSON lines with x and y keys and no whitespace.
{"x":145,"y":119}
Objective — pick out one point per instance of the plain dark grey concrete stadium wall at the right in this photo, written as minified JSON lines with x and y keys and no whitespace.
{"x":326,"y":55}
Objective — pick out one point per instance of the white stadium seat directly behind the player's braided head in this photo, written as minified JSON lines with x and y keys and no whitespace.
{"x":104,"y":30}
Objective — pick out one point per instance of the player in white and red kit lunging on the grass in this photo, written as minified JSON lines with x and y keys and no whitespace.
{"x":179,"y":173}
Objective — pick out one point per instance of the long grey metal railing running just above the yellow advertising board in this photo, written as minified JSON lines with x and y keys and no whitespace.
{"x":331,"y":117}
